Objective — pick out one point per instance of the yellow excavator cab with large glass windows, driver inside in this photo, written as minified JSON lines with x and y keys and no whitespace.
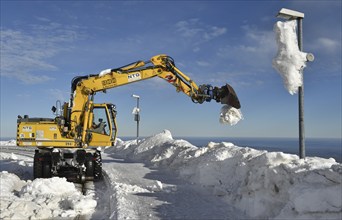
{"x":102,"y":125}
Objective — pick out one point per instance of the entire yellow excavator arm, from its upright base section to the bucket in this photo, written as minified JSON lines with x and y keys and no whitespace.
{"x":84,"y":87}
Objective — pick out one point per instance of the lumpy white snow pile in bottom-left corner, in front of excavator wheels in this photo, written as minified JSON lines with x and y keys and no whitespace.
{"x":41,"y":198}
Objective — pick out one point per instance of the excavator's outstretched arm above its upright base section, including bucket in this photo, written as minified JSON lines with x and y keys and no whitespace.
{"x":162,"y":66}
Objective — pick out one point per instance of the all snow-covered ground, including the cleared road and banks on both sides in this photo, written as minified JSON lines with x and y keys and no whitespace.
{"x":165,"y":178}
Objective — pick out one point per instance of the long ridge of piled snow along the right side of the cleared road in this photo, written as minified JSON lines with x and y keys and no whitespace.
{"x":261,"y":183}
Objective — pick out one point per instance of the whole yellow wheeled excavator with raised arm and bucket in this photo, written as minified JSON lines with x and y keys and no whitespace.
{"x":69,"y":145}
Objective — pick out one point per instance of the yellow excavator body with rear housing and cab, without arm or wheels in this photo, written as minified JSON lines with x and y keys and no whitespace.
{"x":48,"y":132}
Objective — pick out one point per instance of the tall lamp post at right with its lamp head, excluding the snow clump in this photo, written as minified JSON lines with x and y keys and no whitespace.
{"x":295,"y":15}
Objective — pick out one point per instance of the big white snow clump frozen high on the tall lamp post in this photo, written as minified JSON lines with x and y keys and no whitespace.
{"x":289,"y":60}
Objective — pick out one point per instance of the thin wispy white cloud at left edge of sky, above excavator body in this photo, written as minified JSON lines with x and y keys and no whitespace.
{"x":24,"y":53}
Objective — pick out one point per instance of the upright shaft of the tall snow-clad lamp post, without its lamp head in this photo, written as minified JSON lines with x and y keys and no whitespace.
{"x":301,"y":96}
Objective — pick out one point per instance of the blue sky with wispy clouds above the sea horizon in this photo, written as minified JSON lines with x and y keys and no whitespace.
{"x":44,"y":44}
